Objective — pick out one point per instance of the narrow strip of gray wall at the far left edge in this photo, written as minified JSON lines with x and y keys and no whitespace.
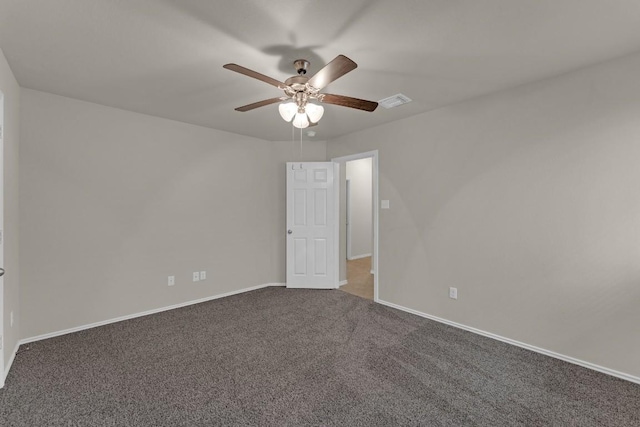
{"x":11,"y":91}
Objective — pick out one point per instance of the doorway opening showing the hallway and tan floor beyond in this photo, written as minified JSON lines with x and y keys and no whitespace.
{"x":358,"y":223}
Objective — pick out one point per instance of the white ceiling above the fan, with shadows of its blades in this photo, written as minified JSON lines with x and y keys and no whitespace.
{"x":165,"y":58}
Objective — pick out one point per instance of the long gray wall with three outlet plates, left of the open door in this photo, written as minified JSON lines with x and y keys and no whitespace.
{"x":112,"y":202}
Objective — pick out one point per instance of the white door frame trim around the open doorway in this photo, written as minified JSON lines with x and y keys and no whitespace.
{"x":375,"y":266}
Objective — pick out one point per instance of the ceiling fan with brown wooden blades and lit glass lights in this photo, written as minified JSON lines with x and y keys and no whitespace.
{"x":300,"y":89}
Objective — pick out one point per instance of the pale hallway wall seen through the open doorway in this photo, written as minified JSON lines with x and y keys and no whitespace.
{"x":359,"y":174}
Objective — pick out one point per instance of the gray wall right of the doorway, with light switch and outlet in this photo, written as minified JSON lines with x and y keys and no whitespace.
{"x":528,"y":202}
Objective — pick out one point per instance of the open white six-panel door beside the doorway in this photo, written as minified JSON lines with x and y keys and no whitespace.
{"x":311,"y":225}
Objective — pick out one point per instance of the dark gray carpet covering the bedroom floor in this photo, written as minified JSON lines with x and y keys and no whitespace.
{"x":298,"y":357}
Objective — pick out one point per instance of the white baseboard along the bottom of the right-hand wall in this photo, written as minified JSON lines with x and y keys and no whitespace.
{"x":549,"y":353}
